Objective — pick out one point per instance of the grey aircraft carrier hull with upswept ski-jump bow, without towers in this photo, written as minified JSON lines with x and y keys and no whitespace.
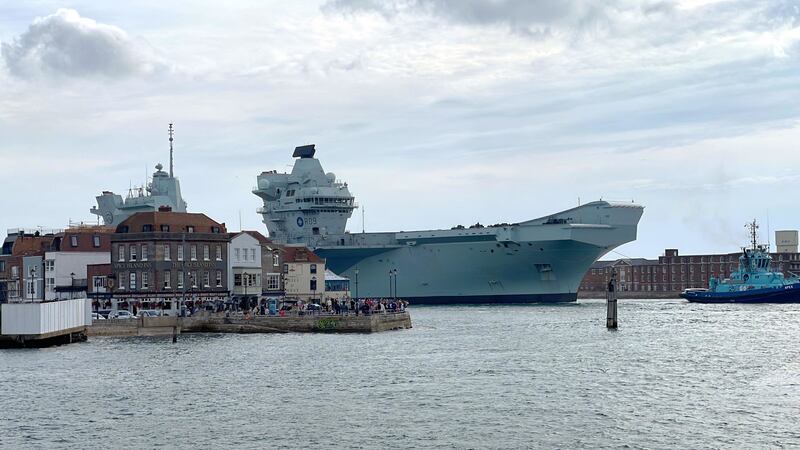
{"x":531,"y":262}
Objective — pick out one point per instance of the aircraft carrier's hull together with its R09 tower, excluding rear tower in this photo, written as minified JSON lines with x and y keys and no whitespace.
{"x":540,"y":260}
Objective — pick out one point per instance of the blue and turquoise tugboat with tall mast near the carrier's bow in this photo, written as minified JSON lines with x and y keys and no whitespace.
{"x":754,"y":282}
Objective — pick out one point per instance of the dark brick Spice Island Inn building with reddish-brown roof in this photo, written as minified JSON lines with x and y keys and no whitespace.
{"x":161,"y":259}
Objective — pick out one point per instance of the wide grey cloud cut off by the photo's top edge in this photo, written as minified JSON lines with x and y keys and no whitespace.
{"x":531,"y":17}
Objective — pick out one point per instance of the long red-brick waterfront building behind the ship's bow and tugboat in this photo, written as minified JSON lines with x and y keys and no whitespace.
{"x":672,"y":273}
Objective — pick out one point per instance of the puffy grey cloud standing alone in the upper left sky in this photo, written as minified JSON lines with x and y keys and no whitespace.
{"x":65,"y":44}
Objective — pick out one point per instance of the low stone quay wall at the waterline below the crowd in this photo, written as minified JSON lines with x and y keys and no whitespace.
{"x":215,"y":323}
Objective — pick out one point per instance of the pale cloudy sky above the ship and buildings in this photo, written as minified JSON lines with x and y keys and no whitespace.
{"x":436,"y":112}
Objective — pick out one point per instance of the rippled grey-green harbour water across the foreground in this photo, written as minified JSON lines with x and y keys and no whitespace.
{"x":674,"y":374}
